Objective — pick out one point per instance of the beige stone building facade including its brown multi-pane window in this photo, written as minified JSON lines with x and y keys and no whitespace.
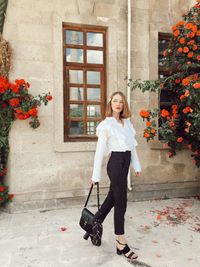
{"x":77,"y":50}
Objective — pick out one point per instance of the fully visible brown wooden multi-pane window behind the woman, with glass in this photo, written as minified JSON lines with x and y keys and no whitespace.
{"x":84,"y":59}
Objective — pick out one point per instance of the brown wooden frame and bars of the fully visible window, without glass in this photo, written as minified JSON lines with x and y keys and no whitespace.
{"x":84,"y":67}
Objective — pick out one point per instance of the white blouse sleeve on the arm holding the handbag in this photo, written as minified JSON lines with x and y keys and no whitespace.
{"x":99,"y":155}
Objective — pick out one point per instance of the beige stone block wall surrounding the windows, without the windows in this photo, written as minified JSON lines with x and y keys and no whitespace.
{"x":46,"y":173}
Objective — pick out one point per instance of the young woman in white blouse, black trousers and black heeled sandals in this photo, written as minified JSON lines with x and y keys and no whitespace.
{"x":116,"y":135}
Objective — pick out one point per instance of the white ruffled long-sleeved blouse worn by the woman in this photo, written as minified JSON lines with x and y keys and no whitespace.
{"x":113,"y":136}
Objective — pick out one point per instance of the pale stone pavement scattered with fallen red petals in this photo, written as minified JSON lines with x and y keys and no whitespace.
{"x":164,"y":233}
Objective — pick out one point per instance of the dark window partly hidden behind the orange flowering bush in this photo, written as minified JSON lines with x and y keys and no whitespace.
{"x":165,"y":97}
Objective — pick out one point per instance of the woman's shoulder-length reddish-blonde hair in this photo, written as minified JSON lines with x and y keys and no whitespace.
{"x":125,"y":113}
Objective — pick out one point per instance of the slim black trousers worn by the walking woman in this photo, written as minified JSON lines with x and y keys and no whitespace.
{"x":117,"y":169}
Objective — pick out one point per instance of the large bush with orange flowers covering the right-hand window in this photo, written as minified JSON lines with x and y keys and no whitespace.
{"x":179,"y":127}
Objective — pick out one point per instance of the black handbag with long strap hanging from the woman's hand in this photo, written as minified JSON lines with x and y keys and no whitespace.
{"x":89,"y":223}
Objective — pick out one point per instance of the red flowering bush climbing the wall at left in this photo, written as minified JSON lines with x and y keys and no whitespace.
{"x":16,"y":102}
